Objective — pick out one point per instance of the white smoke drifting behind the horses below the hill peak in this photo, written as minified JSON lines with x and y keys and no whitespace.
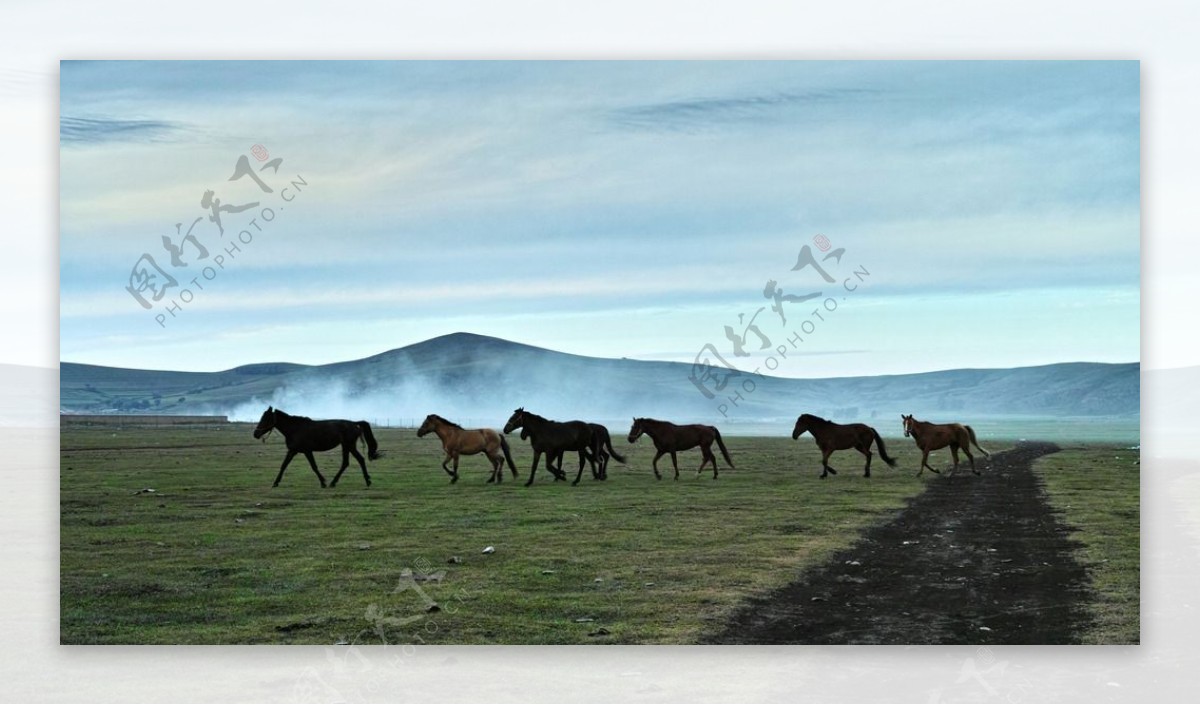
{"x":482,"y":391}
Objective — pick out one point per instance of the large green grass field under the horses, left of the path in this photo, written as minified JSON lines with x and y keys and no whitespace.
{"x":217,"y":556}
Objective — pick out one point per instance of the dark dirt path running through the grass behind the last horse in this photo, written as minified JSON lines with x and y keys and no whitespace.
{"x":973,"y":561}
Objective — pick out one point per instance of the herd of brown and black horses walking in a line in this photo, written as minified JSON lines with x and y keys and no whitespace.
{"x":593,"y":444}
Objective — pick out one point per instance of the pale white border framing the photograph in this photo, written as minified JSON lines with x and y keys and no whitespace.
{"x":35,"y":37}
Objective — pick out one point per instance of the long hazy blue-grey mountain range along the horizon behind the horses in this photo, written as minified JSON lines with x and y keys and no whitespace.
{"x":478,"y":377}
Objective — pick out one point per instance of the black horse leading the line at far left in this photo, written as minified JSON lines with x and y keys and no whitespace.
{"x":305,"y":436}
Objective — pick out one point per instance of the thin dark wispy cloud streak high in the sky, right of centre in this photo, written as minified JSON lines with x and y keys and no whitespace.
{"x":700,"y":115}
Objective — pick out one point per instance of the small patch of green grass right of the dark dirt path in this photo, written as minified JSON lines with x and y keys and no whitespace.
{"x":1097,"y":492}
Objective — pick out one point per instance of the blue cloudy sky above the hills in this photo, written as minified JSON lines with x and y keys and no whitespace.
{"x":613,"y":209}
